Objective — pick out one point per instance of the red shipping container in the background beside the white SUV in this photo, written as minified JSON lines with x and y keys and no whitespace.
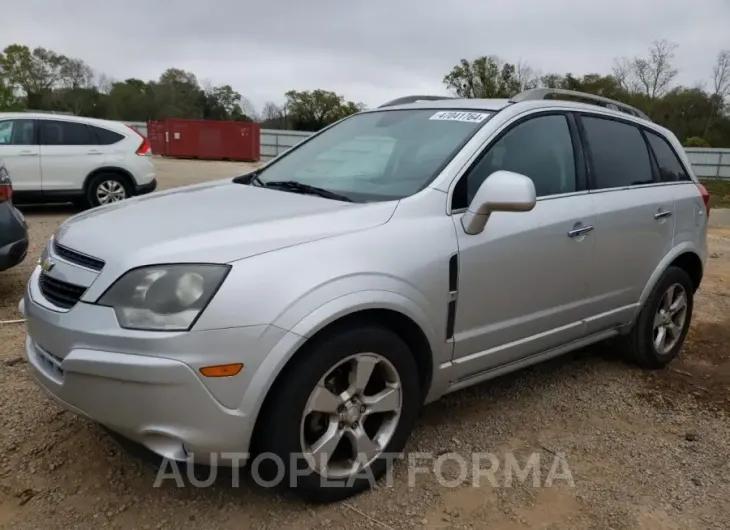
{"x":212,"y":140}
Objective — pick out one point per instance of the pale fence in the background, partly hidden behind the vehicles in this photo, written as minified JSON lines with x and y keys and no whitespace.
{"x":706,"y":162}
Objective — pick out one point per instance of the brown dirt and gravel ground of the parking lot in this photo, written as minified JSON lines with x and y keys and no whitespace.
{"x":644,"y":450}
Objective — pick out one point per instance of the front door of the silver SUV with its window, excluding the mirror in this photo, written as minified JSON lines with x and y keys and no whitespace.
{"x":523,"y":281}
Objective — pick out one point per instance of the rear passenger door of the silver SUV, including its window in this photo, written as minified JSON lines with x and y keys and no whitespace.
{"x":634,"y":217}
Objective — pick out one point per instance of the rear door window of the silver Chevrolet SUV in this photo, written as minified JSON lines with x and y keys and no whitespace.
{"x":619,"y":153}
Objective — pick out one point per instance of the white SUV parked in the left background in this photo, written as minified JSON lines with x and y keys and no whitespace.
{"x":60,"y":158}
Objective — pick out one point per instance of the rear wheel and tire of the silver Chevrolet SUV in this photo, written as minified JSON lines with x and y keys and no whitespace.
{"x":659,"y":332}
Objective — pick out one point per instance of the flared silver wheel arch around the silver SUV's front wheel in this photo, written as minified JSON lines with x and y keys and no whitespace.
{"x":316,"y":320}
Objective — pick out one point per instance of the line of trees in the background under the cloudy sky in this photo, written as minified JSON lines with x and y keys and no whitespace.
{"x":41,"y":79}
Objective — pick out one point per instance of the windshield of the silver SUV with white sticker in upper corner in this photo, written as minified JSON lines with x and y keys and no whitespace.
{"x":379,"y":156}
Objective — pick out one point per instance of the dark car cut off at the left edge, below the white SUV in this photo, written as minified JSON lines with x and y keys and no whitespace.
{"x":13,"y":229}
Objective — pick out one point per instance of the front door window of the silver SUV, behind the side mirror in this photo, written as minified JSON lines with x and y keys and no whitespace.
{"x":540,"y":148}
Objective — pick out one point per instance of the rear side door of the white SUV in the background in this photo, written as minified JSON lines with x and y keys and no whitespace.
{"x":69,"y":152}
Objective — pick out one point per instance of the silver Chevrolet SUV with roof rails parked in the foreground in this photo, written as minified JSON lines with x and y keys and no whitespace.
{"x":307,"y":311}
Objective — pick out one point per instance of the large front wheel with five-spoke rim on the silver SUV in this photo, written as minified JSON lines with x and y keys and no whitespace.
{"x":347,"y":404}
